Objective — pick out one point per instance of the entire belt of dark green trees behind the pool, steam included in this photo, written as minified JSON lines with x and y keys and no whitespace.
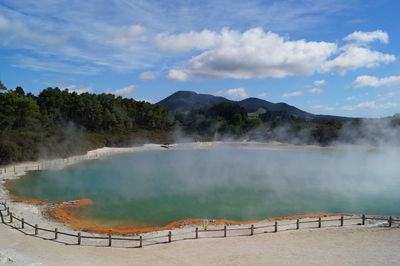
{"x":59,"y":123}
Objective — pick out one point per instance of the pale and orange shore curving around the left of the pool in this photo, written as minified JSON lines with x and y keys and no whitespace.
{"x":64,"y":214}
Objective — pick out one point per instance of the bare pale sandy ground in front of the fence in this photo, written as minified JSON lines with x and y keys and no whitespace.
{"x":353,"y":245}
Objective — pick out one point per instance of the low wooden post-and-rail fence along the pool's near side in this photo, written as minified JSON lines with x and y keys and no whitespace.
{"x":138,"y":241}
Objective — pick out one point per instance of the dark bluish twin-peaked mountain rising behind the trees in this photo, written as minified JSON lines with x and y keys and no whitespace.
{"x":188,"y":100}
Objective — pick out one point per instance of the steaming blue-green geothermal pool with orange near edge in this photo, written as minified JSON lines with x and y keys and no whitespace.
{"x":158,"y":187}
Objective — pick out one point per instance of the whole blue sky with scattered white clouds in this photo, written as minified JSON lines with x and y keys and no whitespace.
{"x":327,"y":57}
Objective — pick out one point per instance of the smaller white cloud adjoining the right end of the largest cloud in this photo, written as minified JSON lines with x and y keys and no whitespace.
{"x":354,"y":57}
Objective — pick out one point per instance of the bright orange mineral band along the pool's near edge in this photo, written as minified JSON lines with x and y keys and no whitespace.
{"x":68,"y":213}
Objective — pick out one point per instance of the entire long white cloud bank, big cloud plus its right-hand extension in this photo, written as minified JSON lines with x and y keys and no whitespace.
{"x":258,"y":54}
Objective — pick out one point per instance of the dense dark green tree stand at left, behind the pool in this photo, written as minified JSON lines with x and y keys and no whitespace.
{"x":59,"y":123}
